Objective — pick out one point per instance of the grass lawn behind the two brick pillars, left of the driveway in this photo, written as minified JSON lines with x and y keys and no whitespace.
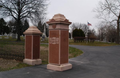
{"x":11,"y":46}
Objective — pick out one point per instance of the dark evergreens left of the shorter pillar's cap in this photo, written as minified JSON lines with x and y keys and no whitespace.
{"x":10,"y":27}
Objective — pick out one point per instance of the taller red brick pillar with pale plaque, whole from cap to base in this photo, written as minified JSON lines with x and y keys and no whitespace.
{"x":59,"y":43}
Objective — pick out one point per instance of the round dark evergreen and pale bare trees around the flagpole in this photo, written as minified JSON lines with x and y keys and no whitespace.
{"x":81,"y":30}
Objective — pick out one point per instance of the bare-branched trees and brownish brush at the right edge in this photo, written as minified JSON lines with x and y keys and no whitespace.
{"x":109,"y":27}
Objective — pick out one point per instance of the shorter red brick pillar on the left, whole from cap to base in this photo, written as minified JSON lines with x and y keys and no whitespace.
{"x":32,"y":46}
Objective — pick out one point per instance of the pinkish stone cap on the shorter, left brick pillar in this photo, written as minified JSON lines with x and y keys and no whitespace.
{"x":32,"y":30}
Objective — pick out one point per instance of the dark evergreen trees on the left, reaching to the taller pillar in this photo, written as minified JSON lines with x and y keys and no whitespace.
{"x":10,"y":27}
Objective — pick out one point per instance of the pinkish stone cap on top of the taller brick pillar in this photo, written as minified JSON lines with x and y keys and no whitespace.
{"x":59,"y":18}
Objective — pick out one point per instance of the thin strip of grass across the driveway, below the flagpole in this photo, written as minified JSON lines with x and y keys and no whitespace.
{"x":96,"y":43}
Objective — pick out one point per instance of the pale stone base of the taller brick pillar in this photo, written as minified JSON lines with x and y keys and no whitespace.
{"x":61,"y":67}
